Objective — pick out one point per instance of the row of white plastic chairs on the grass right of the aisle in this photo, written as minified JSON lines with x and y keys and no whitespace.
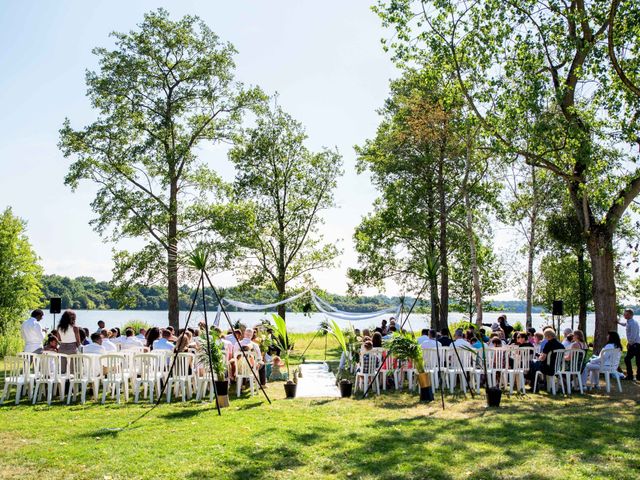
{"x":505,"y":367}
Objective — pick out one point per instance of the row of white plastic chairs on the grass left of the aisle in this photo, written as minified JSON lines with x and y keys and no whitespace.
{"x":49,"y":373}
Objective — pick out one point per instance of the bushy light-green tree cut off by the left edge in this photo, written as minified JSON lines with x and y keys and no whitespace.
{"x":20,"y":275}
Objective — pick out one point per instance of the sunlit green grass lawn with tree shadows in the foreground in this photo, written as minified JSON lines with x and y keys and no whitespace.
{"x":390,"y":437}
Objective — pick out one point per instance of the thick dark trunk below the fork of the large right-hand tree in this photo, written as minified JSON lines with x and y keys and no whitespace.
{"x":600,"y":247}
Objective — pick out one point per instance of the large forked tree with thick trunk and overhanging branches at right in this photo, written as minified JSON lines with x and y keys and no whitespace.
{"x":555,"y":82}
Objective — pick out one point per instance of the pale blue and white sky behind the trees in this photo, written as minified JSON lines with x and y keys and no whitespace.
{"x":324,"y":58}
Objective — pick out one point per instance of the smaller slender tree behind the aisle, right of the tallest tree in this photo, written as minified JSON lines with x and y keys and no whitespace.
{"x":288,"y":187}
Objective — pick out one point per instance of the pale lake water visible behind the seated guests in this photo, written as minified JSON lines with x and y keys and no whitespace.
{"x":297,"y":322}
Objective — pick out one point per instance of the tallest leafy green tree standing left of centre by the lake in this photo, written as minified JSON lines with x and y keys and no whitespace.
{"x":164,"y":89}
